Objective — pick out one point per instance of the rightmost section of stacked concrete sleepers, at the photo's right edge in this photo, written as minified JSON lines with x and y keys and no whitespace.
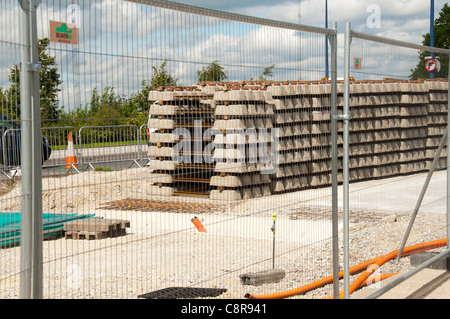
{"x":437,"y":121}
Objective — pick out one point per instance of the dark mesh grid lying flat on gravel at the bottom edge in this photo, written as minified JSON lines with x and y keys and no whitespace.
{"x":183,"y":292}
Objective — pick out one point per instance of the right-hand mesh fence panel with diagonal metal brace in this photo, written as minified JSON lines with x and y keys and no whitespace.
{"x":394,"y":155}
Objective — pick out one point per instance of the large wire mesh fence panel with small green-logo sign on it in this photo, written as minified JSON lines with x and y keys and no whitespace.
{"x":240,"y":145}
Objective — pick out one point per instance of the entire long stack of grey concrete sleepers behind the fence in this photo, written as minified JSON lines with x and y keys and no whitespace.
{"x":395,"y":127}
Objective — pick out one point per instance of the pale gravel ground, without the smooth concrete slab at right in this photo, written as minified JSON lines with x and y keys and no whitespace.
{"x":163,"y":249}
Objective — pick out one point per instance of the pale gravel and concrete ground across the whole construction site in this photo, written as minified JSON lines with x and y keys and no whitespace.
{"x":380,"y":211}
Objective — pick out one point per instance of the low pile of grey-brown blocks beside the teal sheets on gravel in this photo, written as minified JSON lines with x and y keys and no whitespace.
{"x":95,"y":228}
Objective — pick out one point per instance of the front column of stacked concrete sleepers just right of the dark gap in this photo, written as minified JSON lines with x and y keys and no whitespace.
{"x":242,"y":128}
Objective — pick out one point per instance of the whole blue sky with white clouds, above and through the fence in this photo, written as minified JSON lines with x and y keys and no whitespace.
{"x":121,"y":42}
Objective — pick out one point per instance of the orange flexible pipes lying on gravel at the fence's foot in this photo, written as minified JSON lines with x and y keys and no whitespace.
{"x":370,"y":266}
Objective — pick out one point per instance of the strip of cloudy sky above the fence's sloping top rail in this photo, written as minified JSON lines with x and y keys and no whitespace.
{"x":406,"y":20}
